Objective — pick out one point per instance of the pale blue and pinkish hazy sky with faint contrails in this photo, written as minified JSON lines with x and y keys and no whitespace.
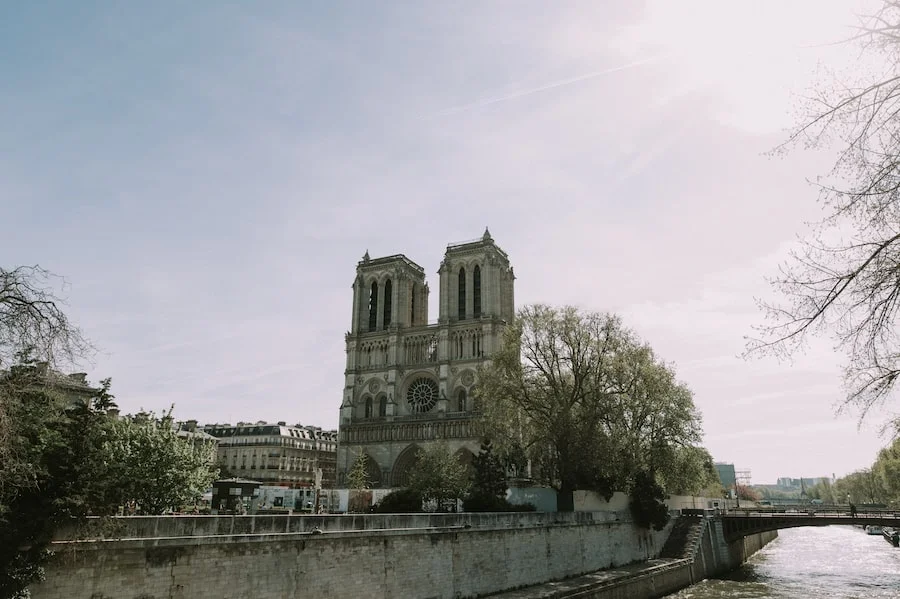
{"x":206,"y":176}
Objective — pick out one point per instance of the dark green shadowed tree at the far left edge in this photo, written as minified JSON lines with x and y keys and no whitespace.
{"x":55,"y":472}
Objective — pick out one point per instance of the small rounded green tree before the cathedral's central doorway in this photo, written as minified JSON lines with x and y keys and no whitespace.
{"x":438,"y":476}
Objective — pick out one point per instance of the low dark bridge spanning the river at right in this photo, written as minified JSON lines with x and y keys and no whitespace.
{"x":740,"y":523}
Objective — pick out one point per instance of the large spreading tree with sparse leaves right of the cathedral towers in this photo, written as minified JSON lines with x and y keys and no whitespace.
{"x":586,"y":401}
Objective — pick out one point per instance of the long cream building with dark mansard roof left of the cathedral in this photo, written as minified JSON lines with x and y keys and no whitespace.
{"x":276,"y":454}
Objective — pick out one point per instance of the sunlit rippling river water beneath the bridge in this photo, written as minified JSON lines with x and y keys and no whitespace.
{"x":834,"y":562}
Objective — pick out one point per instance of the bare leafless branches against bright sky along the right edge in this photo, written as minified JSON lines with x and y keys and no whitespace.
{"x":844,"y":281}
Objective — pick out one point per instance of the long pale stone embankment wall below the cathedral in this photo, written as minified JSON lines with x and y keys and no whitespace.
{"x":444,"y":559}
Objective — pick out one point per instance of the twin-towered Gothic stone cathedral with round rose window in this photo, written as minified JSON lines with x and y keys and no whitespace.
{"x":410,"y":381}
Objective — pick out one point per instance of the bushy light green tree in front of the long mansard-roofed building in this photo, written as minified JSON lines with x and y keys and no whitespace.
{"x":156,"y":468}
